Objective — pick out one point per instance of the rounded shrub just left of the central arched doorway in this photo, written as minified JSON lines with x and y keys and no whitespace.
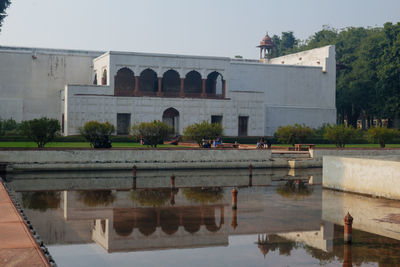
{"x":152,"y":133}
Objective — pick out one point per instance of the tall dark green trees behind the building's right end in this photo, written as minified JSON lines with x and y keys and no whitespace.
{"x":368,"y":69}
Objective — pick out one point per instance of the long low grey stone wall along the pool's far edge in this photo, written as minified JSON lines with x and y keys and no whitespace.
{"x":35,"y":160}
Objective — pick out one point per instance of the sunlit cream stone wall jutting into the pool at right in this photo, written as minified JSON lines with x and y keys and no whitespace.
{"x":373,"y":176}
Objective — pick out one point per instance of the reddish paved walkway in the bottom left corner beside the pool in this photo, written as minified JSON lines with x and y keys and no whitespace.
{"x":17,"y":246}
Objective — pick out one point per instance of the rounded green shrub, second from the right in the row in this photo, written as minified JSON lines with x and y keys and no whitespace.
{"x":340,"y":134}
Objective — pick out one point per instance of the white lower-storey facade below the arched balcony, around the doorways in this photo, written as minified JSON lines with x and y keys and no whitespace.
{"x":86,"y":103}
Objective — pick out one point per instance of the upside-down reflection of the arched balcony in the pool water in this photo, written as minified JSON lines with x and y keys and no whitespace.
{"x":160,"y":228}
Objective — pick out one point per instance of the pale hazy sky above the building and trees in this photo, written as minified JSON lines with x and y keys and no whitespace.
{"x":202,"y":27}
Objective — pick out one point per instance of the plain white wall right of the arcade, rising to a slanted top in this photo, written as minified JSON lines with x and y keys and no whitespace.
{"x":298,"y":91}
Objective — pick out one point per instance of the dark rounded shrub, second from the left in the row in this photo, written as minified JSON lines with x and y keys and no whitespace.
{"x":98,"y":134}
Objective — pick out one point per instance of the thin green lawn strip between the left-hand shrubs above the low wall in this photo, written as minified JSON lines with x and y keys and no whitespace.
{"x":73,"y":145}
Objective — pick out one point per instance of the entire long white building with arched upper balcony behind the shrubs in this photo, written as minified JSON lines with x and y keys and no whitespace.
{"x":249,"y":97}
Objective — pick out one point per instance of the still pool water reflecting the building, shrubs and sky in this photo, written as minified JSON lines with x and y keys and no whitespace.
{"x":284,"y":218}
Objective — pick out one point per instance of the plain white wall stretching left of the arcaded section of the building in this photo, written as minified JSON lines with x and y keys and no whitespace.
{"x":31,"y":80}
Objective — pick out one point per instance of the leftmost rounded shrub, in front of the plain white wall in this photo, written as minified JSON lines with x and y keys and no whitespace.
{"x":41,"y":131}
